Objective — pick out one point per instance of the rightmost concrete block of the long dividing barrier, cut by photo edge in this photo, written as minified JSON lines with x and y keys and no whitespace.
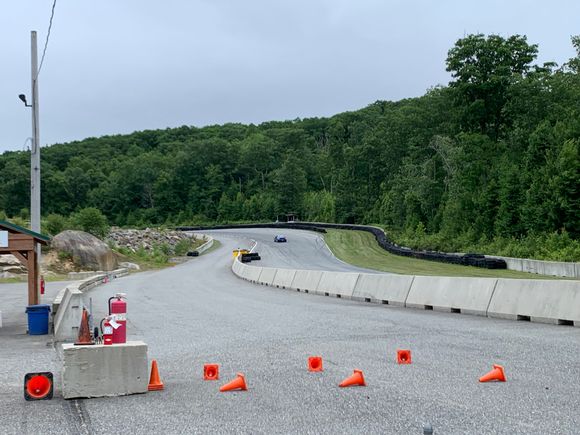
{"x":537,"y":300}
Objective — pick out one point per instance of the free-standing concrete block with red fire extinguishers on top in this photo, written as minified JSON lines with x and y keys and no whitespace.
{"x":99,"y":370}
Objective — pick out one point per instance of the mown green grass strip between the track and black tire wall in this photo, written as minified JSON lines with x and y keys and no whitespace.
{"x":361,"y":249}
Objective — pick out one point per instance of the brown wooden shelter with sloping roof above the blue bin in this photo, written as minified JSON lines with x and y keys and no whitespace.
{"x":23,"y":244}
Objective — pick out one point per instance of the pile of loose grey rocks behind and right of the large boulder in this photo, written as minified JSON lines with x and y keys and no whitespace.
{"x":146,"y":239}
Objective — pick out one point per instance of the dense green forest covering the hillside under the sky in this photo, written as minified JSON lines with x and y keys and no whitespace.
{"x":490,"y":161}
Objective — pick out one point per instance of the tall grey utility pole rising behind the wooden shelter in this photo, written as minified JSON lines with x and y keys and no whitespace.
{"x":35,"y":149}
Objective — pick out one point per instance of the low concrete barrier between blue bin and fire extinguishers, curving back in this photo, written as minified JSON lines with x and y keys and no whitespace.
{"x":67,"y":306}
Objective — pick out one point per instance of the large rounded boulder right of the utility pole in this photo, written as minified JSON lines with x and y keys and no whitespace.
{"x":87,"y":251}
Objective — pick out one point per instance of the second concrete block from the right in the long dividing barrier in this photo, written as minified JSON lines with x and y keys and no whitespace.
{"x":452,"y":294}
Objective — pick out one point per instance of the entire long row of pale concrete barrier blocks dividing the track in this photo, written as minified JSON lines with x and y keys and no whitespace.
{"x":544,"y":301}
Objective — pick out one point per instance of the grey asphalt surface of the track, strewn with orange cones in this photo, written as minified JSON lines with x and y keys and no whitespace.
{"x":199,"y":312}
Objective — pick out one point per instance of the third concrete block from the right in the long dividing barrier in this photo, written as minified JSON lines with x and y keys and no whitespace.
{"x":386,"y":289}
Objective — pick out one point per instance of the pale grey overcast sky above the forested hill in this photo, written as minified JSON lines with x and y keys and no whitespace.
{"x":116,"y":66}
